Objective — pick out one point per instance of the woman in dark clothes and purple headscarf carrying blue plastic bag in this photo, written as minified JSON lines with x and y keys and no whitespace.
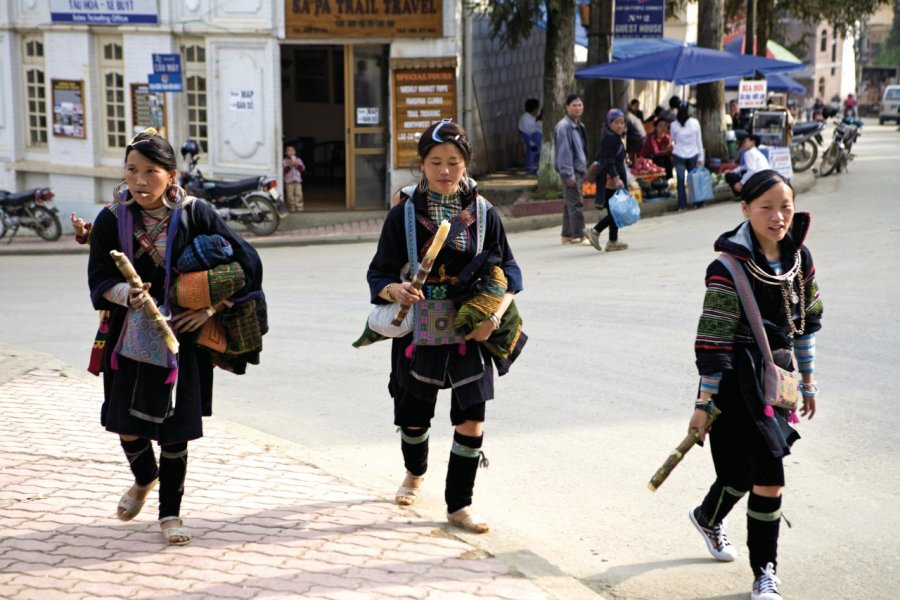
{"x":612,"y":176}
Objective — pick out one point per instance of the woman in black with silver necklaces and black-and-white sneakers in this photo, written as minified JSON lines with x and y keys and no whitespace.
{"x":751,"y":438}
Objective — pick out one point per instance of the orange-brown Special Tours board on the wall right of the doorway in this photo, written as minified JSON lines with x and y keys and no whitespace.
{"x":421,"y":97}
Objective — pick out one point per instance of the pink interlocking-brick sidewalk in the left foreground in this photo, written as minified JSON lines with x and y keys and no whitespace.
{"x":265,"y":524}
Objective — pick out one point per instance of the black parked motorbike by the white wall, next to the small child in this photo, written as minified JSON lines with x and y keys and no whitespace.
{"x":254,"y":202}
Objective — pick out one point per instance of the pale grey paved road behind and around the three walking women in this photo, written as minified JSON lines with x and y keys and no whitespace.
{"x":599,"y":398}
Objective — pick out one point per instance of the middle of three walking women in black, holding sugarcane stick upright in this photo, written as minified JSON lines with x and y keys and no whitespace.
{"x":440,"y":353}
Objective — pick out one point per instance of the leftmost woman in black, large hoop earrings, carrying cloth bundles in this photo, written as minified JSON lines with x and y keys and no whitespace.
{"x":149,"y":392}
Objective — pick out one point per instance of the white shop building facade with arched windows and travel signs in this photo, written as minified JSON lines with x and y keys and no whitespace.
{"x":348,"y":83}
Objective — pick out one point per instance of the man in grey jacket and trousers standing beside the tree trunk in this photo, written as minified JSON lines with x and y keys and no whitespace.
{"x":571,"y":164}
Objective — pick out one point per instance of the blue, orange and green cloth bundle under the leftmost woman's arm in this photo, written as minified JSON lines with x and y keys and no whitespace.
{"x":208,"y":277}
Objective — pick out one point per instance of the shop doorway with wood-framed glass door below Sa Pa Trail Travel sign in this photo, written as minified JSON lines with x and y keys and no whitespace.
{"x":334,"y":112}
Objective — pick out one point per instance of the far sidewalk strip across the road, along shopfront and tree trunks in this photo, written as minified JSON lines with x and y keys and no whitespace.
{"x":303,"y":229}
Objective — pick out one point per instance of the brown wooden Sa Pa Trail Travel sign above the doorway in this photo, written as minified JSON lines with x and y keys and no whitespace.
{"x":363,"y":18}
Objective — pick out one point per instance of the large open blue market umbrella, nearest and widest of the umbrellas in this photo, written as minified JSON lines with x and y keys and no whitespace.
{"x":687,"y":65}
